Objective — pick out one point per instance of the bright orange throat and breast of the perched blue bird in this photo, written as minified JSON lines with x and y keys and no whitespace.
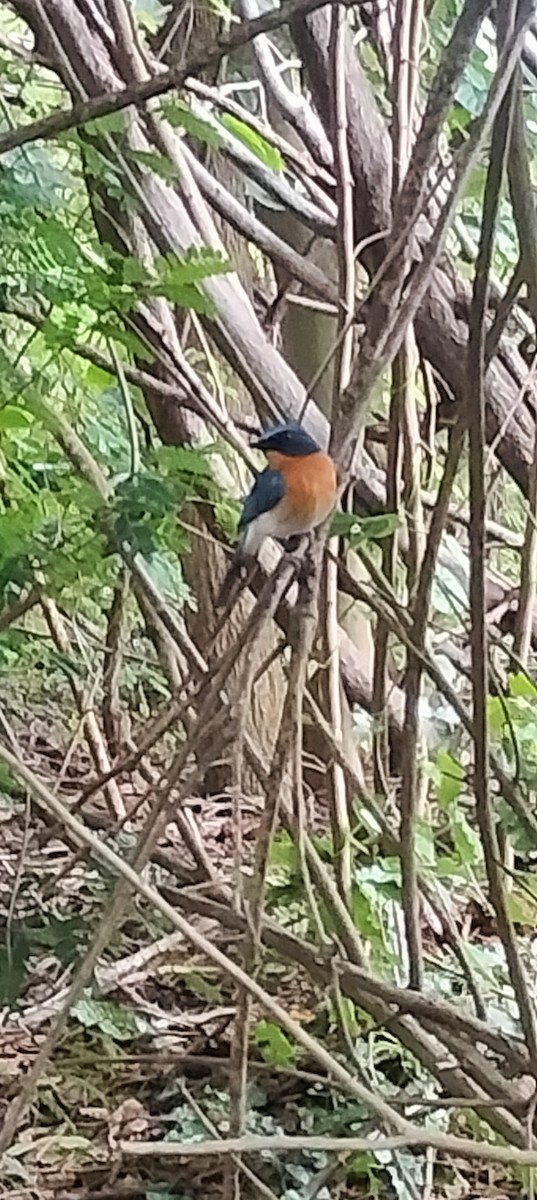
{"x":311,"y":485}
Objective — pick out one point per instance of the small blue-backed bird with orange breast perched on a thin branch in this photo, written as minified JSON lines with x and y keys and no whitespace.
{"x":293,"y":496}
